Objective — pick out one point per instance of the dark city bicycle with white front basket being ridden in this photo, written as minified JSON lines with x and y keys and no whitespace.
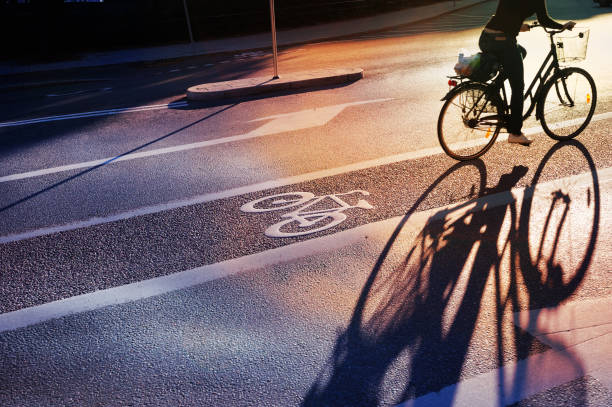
{"x":474,"y":111}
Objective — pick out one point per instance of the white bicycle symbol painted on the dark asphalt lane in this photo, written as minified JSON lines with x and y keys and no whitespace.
{"x":314,"y":213}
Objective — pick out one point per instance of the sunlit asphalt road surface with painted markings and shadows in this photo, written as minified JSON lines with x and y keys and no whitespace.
{"x":312,"y":249}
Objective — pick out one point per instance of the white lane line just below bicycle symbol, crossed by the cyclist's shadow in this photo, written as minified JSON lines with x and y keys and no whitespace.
{"x":189,"y":278}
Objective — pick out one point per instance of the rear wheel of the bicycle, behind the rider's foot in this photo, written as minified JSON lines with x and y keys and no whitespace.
{"x":469,"y":122}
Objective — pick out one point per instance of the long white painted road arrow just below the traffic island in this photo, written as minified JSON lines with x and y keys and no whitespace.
{"x":279,"y":123}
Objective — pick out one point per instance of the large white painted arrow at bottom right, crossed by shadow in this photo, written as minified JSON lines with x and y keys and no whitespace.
{"x":581,"y":337}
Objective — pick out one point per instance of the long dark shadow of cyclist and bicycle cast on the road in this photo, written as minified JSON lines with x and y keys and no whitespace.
{"x":423,"y":324}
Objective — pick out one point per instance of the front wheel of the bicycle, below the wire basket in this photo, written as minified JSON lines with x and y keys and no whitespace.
{"x":567,"y":103}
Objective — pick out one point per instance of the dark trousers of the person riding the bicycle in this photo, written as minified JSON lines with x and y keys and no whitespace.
{"x":510,"y":55}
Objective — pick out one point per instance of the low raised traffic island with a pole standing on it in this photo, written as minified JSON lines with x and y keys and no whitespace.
{"x":257,"y":86}
